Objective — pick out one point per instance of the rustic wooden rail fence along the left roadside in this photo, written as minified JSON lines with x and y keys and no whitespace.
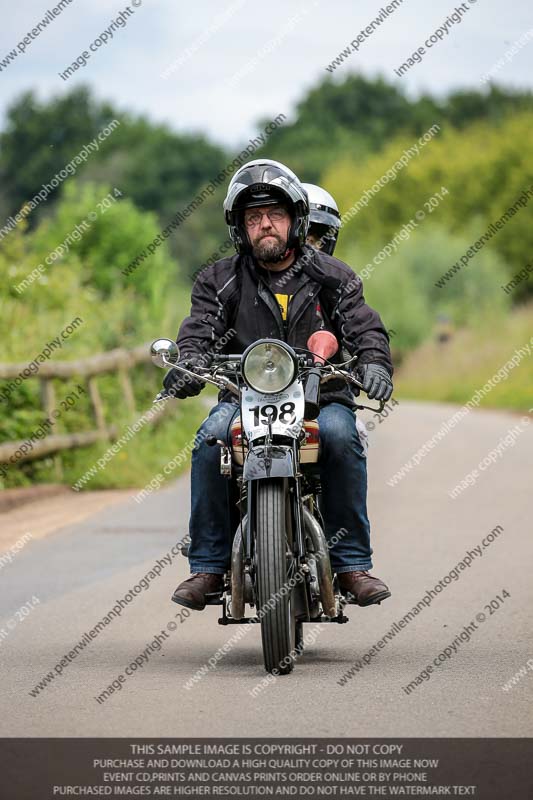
{"x":119,"y":360}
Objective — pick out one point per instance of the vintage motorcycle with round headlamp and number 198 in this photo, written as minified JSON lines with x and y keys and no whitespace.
{"x":280,"y":559}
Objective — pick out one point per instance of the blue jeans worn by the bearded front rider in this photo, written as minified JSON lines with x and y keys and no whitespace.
{"x":343,"y":503}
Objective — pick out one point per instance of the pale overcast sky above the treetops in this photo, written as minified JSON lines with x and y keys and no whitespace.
{"x":280,"y":48}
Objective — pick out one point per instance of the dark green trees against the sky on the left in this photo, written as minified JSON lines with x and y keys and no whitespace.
{"x":154,"y":166}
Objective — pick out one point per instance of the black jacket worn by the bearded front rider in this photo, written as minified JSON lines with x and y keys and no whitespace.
{"x":230,"y":295}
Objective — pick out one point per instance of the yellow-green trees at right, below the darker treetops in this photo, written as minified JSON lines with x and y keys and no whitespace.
{"x":485,"y":168}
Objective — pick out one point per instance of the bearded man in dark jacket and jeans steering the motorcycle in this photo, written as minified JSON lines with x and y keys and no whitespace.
{"x":278,"y":286}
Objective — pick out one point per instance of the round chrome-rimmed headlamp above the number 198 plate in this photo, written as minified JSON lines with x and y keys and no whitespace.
{"x":269,"y":366}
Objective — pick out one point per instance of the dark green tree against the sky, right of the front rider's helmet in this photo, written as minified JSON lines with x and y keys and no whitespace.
{"x":354,"y":117}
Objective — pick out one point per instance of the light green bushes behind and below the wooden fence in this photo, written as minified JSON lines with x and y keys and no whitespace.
{"x":85,"y":281}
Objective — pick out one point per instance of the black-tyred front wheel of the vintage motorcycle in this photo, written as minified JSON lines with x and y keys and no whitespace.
{"x":273,"y":560}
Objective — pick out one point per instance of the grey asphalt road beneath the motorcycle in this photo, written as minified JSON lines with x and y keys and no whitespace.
{"x":419,"y":535}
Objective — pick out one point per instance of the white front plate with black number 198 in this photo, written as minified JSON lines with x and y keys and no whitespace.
{"x":286,"y":410}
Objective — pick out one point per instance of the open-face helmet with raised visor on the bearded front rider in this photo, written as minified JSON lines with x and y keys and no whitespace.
{"x":261,"y":183}
